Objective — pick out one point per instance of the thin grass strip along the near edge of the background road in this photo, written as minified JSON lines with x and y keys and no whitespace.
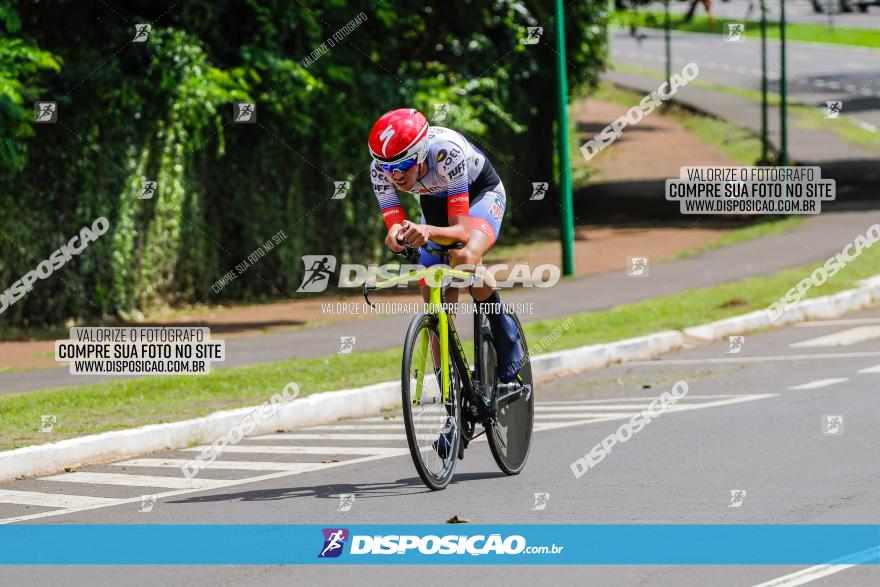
{"x":800,"y":115}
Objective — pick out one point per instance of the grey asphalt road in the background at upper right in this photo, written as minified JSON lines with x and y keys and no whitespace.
{"x":816,"y":73}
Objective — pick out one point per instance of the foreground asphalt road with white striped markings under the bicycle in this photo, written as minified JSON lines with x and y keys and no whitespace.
{"x":756,"y":421}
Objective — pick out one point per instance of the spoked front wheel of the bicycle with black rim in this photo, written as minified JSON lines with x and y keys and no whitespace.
{"x":433,"y":427}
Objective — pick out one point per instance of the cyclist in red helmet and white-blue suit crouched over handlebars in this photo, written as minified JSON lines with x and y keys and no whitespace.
{"x":462,"y":200}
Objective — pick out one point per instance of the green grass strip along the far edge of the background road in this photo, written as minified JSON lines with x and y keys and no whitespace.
{"x":815,"y":33}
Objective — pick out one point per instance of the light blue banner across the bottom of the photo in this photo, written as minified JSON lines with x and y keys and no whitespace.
{"x":637,"y":544}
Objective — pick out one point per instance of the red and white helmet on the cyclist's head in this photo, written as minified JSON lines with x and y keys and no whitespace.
{"x":399,"y":135}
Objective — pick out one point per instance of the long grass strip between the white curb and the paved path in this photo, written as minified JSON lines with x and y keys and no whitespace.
{"x":117,"y":405}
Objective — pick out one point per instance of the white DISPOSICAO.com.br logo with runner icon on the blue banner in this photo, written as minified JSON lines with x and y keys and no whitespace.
{"x":334,"y":540}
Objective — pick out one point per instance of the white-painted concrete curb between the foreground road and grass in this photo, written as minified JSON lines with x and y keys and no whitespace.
{"x":364,"y":401}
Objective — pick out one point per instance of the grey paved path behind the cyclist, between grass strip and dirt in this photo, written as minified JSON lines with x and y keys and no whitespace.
{"x":816,"y":239}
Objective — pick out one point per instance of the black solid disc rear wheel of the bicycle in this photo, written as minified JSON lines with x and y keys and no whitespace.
{"x":510,"y":434}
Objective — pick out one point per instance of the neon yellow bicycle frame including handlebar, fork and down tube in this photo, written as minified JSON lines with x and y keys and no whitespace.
{"x":444,"y":325}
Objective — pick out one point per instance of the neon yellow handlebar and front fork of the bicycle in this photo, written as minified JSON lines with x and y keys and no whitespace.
{"x":437,"y":275}
